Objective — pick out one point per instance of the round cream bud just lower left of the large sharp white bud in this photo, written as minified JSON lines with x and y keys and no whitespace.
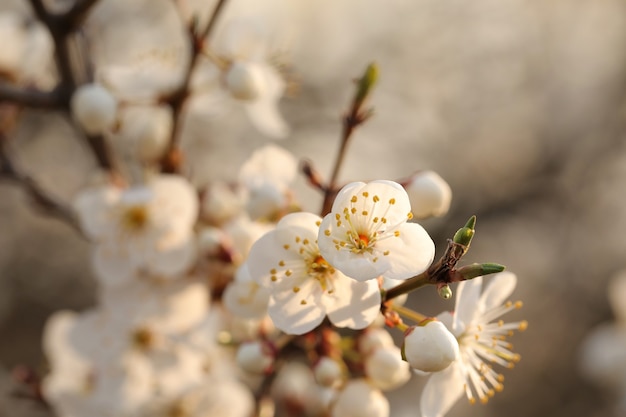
{"x":386,"y":369}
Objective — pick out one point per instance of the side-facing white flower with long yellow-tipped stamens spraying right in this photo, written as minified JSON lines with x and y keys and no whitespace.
{"x":482,"y":341}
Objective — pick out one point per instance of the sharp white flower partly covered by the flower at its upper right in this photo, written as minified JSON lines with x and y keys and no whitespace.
{"x":304,"y":288}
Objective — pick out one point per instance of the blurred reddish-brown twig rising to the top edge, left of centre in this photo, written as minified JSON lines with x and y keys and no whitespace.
{"x":177,"y":99}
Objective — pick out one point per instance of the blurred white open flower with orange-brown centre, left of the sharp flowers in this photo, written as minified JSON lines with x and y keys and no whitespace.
{"x":145,"y":228}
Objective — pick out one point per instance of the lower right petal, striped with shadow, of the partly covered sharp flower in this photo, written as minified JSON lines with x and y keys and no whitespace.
{"x":356,"y":304}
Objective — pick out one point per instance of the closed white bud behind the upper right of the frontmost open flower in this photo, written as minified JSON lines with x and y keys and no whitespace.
{"x":430,"y":195}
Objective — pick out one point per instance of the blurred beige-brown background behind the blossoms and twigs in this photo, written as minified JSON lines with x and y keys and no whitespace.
{"x":518,"y":104}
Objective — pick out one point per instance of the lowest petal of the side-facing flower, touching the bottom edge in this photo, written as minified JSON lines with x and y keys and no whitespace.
{"x":442,"y":390}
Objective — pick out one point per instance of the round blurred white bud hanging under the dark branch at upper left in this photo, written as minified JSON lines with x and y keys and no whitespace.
{"x":94,"y":108}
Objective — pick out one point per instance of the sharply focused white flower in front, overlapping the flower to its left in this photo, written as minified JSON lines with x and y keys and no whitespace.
{"x":366,"y":234}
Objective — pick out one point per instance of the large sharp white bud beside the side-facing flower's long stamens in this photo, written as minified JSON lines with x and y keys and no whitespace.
{"x":430,"y":348}
